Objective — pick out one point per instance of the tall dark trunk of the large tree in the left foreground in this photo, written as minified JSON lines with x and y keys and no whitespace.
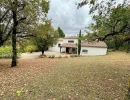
{"x":14,"y":57}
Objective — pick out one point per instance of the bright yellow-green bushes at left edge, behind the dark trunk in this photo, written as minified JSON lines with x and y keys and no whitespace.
{"x":6,"y":52}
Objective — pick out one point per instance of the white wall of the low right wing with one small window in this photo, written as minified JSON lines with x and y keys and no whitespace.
{"x":93,"y":51}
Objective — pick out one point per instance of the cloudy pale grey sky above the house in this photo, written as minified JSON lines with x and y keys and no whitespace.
{"x":64,"y":14}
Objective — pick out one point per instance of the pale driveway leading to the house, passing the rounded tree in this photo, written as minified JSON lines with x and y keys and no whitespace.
{"x":37,"y":54}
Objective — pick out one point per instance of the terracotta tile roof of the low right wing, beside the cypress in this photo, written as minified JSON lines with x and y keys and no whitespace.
{"x":100,"y":44}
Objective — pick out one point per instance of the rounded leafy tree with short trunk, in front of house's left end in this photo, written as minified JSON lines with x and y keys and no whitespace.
{"x":45,"y":36}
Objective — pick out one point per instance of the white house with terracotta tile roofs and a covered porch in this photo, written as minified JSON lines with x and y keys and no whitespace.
{"x":69,"y":45}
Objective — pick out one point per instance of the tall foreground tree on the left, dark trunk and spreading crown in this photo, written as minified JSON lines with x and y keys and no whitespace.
{"x":18,"y":16}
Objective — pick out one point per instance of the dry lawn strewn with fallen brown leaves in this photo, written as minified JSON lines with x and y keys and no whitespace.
{"x":79,"y":78}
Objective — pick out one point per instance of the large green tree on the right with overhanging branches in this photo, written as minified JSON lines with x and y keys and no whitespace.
{"x":112,"y":20}
